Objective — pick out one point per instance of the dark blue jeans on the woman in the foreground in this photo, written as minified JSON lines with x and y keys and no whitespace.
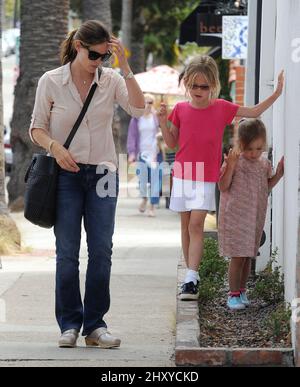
{"x":77,"y":199}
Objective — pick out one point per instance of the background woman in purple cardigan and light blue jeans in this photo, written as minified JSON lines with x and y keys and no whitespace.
{"x":143,"y":146}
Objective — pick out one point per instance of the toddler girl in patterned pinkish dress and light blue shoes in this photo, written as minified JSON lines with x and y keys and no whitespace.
{"x":246,"y":180}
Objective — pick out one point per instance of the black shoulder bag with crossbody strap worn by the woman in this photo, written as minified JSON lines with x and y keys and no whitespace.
{"x":41,"y":179}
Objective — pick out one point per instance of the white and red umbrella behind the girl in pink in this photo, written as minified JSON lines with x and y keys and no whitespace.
{"x":160,"y":80}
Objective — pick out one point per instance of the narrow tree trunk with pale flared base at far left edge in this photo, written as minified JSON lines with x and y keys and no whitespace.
{"x":9,"y":234}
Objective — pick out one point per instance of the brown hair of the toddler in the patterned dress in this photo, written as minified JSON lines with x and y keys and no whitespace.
{"x":250,"y":130}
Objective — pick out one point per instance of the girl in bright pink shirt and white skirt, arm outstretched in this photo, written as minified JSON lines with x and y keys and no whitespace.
{"x":197,"y":126}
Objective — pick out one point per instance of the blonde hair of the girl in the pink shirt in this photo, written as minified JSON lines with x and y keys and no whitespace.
{"x":207,"y":66}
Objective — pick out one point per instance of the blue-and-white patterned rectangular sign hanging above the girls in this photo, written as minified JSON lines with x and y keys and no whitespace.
{"x":235,"y":37}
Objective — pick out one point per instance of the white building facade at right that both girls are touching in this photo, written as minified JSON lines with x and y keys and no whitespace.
{"x":274,"y":30}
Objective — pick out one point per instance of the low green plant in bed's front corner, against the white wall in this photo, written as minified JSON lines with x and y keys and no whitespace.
{"x":278,"y":322}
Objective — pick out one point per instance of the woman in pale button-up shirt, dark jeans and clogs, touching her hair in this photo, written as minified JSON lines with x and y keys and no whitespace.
{"x":59,"y":99}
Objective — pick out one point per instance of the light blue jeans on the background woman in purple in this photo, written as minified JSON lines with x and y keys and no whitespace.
{"x":153,"y":177}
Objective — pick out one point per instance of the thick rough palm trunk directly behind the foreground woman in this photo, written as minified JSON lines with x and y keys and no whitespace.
{"x":43,"y":28}
